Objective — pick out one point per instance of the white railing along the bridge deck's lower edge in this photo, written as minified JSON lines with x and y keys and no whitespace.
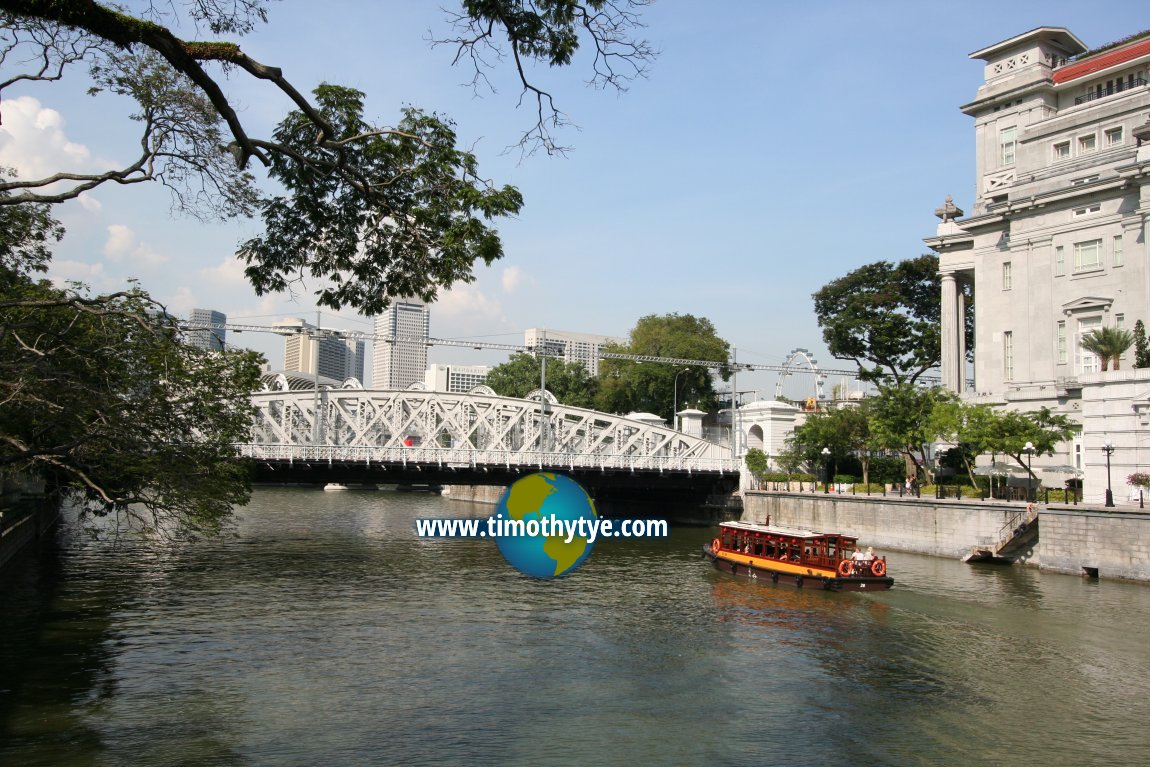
{"x":479,"y":459}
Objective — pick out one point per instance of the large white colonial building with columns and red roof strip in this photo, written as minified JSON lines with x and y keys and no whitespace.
{"x":1055,"y":246}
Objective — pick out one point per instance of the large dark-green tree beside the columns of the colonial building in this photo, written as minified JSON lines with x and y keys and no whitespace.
{"x":886,"y":318}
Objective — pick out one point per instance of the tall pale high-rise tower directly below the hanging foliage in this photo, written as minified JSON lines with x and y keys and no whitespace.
{"x":401,"y":354}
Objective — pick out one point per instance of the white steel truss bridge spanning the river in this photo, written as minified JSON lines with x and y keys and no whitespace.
{"x":348,"y":434}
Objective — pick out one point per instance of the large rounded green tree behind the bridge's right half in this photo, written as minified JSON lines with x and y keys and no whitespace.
{"x":627,"y":386}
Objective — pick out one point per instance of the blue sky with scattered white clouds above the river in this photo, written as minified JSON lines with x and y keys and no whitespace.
{"x":772,"y":149}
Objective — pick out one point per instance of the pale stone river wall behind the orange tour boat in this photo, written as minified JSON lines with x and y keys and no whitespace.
{"x":1071,"y":539}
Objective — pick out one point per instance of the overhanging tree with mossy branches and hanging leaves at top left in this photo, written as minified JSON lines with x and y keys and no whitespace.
{"x":370,"y":212}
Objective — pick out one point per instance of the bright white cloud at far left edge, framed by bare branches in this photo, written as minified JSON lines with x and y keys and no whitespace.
{"x":33,"y":141}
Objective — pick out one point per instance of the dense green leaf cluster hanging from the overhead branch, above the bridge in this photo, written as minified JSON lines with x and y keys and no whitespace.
{"x":421,"y":231}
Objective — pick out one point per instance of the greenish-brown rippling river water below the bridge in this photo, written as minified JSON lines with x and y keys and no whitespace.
{"x":325,"y":633}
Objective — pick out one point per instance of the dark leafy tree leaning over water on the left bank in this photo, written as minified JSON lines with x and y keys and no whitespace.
{"x":103,"y":401}
